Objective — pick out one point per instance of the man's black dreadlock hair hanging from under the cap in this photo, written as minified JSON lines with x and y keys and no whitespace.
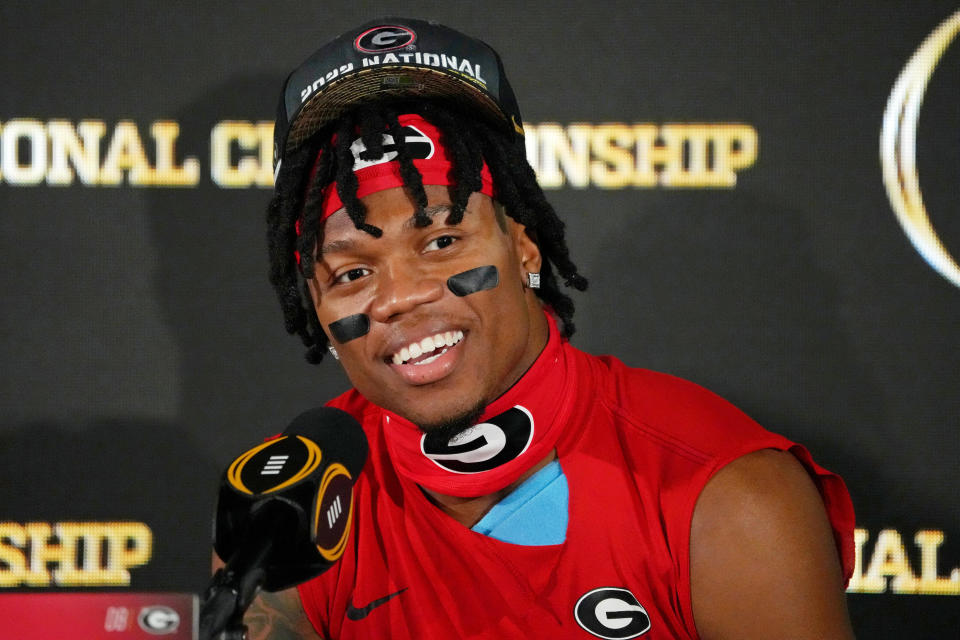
{"x":293,"y":216}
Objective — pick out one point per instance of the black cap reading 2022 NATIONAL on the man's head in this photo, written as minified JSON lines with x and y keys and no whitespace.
{"x":386,"y":58}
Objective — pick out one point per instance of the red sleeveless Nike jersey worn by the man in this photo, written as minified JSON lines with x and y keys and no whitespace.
{"x":637,"y":450}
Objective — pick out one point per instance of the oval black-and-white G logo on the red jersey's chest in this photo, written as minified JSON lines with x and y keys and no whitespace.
{"x":612,"y":613}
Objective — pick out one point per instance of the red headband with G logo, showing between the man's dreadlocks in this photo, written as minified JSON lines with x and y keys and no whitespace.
{"x":422,"y":142}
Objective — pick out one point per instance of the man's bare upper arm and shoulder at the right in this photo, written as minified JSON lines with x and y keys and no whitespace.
{"x":763,"y":562}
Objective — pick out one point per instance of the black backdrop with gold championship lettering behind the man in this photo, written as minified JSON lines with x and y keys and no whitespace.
{"x":142,"y":347}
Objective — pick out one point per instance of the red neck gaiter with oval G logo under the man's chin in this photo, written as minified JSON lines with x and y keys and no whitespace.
{"x":517,"y":430}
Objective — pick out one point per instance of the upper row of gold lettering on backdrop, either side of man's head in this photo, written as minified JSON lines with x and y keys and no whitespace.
{"x":608,"y":156}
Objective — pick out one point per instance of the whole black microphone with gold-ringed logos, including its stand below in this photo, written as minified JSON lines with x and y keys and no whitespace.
{"x":283,"y":512}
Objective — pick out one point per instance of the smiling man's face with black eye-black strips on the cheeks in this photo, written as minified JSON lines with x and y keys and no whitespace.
{"x":399,"y":281}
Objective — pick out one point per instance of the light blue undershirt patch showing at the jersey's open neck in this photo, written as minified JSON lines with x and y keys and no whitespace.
{"x":535,"y":513}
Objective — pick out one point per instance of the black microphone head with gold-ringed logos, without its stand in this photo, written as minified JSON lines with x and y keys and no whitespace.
{"x":306,"y":475}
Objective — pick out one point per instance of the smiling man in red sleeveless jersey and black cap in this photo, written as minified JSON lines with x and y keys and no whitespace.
{"x":516,"y":487}
